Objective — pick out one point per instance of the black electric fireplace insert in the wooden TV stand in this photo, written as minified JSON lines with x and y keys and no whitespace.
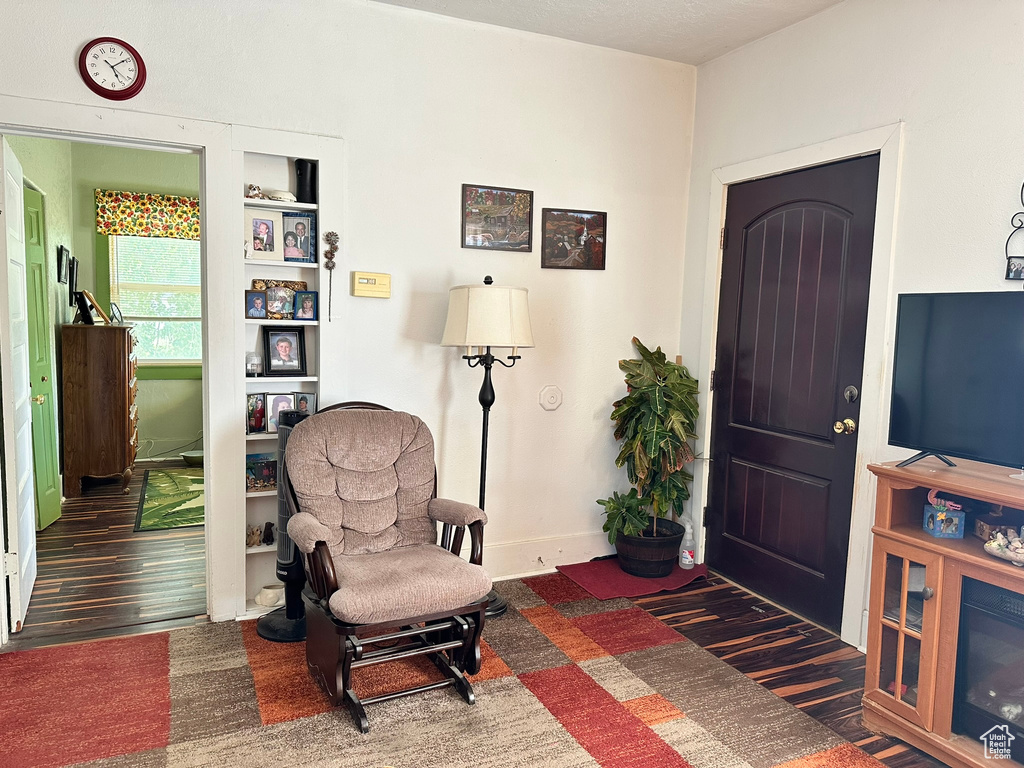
{"x":990,"y":688}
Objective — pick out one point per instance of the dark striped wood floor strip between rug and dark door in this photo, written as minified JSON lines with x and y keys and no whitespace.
{"x":807,"y":666}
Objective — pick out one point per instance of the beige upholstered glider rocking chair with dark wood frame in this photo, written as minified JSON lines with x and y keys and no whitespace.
{"x":363,"y":486}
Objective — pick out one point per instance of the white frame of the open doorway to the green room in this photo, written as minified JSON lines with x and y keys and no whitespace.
{"x":212,"y":142}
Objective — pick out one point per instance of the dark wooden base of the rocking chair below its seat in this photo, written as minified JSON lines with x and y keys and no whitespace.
{"x":335,"y":649}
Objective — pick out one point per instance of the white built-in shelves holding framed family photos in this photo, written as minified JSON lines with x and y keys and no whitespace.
{"x":271,"y":173}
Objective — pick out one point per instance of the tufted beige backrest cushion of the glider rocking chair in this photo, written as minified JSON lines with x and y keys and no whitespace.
{"x":368,"y":477}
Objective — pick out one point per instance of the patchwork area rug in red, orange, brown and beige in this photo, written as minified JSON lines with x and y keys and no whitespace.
{"x":568,"y":681}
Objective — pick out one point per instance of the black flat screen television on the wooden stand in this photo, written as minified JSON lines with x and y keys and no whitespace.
{"x":959,"y":376}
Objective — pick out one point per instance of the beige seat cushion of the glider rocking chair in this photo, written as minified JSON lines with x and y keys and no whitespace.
{"x":405,"y":583}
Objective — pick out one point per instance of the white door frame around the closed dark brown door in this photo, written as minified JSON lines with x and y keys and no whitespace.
{"x":888,"y":143}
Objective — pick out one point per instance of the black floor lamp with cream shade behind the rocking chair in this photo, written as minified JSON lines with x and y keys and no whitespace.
{"x":486,"y":317}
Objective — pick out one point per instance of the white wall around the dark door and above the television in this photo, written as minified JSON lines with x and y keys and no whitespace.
{"x":951,"y":72}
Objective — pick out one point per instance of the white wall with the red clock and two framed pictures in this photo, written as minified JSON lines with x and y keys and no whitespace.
{"x":425,"y":104}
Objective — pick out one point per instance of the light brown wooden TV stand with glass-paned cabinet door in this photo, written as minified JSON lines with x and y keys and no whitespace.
{"x":924,"y":628}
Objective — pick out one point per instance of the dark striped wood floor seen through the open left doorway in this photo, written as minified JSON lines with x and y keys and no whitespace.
{"x":99,"y":578}
